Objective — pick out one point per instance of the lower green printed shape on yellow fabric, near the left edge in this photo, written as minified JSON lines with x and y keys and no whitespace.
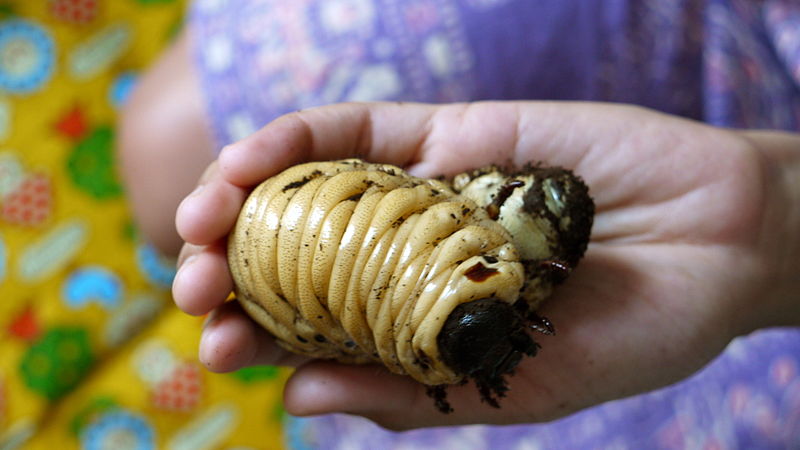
{"x":57,"y":362}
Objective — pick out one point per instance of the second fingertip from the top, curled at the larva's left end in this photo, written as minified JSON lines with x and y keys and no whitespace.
{"x":209,"y":212}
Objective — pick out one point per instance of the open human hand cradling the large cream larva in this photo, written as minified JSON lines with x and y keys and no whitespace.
{"x":680,"y":261}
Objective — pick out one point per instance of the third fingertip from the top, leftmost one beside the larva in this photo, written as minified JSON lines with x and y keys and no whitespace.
{"x":203,"y":280}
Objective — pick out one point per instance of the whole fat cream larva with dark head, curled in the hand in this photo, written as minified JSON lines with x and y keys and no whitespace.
{"x":439,"y":280}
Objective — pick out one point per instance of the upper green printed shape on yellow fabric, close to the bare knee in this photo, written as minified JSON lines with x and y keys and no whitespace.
{"x":91,"y":165}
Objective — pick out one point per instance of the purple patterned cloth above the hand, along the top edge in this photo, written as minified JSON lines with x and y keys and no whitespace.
{"x":726,"y":62}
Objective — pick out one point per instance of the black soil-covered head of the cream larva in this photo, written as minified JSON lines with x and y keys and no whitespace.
{"x":484,"y":340}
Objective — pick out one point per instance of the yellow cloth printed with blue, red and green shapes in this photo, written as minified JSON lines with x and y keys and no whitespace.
{"x":92,"y":352}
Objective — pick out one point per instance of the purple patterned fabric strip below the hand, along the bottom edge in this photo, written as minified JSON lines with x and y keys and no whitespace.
{"x":749,"y":398}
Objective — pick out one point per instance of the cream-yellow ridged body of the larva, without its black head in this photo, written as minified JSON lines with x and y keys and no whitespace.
{"x":361,"y":262}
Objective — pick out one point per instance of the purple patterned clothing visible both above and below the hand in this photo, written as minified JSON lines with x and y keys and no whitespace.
{"x":732,"y":63}
